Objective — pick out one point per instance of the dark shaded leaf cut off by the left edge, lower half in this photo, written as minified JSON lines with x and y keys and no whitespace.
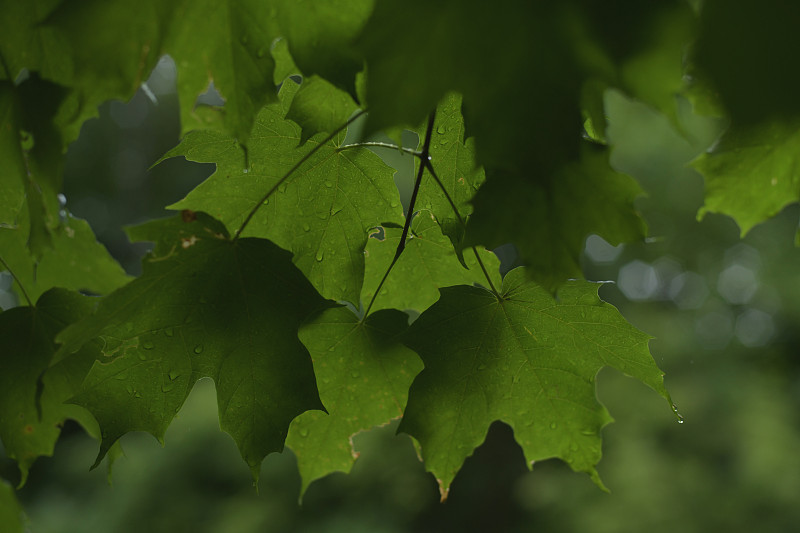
{"x":32,"y":393}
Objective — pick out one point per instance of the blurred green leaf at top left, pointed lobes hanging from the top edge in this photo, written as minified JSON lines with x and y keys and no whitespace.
{"x":116,"y":44}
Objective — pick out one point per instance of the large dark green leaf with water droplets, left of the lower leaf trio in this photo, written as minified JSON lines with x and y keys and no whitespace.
{"x":204,"y":306}
